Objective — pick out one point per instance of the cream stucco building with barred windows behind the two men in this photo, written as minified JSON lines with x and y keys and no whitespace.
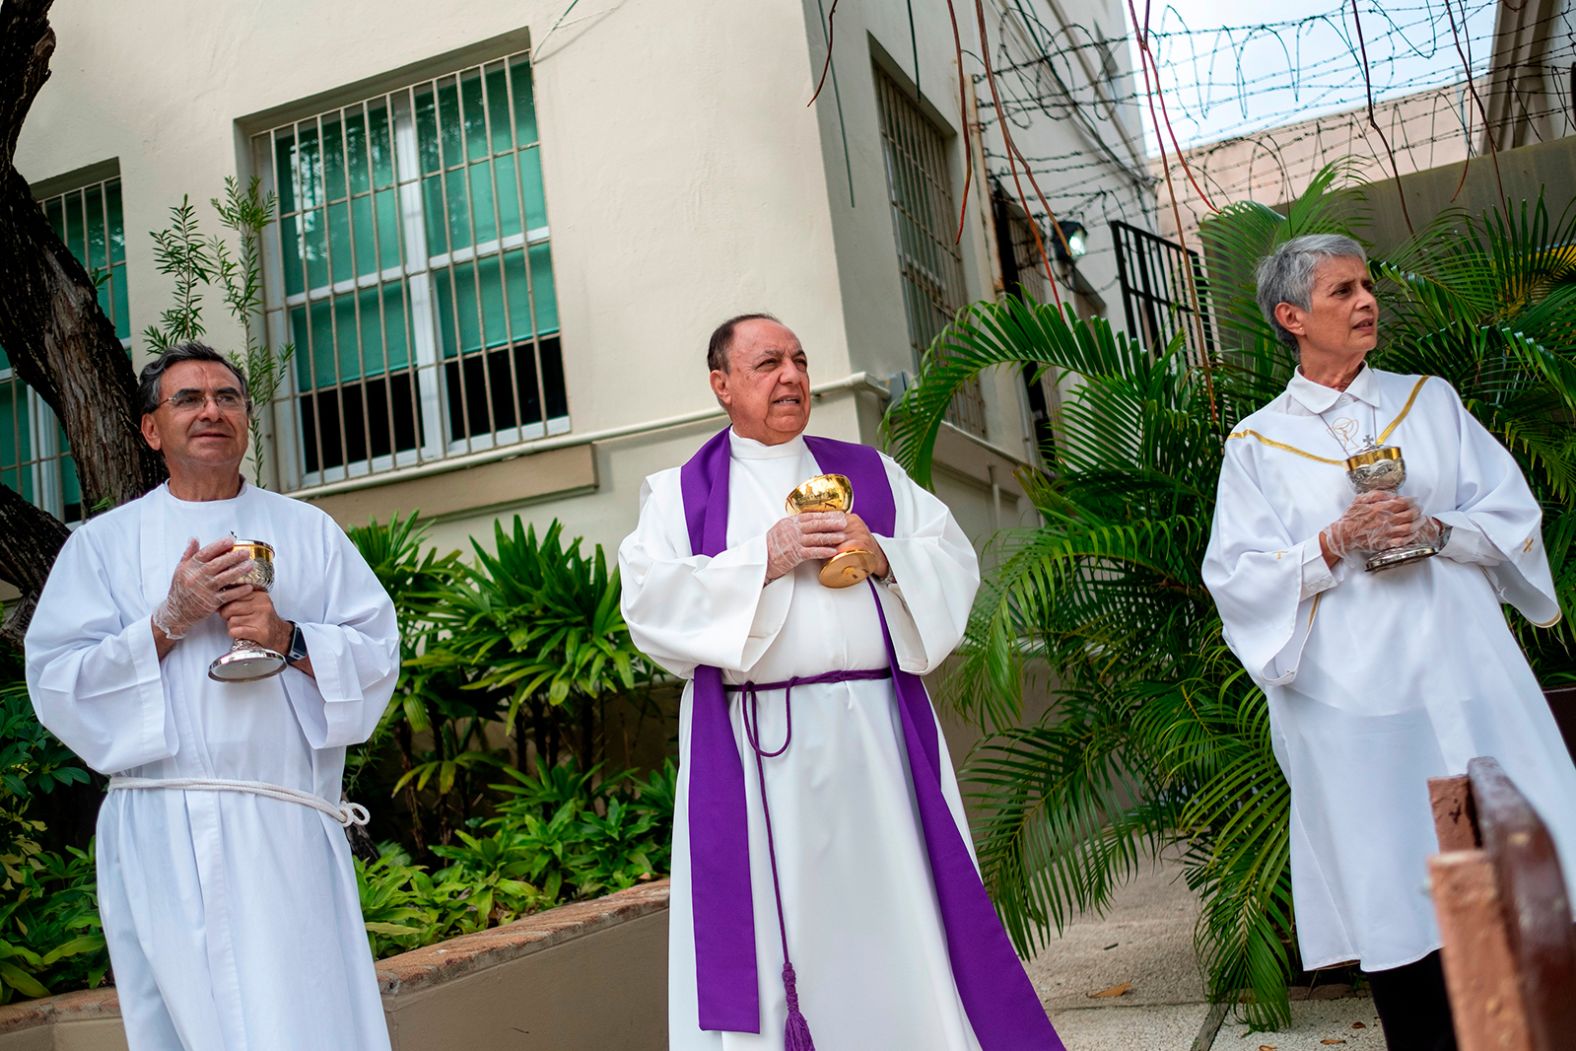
{"x":507,"y":228}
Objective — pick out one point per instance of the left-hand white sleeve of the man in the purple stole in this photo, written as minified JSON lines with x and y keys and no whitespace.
{"x":686,"y":611}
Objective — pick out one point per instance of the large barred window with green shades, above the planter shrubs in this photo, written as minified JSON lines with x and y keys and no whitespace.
{"x":412,"y":270}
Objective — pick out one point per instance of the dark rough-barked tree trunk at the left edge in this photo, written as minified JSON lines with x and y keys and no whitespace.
{"x":58,"y":338}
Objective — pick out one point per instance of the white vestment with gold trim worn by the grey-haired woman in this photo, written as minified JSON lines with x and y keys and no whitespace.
{"x":1381,"y":681}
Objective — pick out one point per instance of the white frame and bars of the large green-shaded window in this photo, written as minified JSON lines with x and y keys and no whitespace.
{"x":417,"y":275}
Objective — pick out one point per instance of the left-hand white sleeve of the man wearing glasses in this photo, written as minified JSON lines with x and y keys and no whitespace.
{"x":94,"y":672}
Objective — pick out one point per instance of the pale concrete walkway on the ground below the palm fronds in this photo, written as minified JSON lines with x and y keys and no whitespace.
{"x":1131,"y":982}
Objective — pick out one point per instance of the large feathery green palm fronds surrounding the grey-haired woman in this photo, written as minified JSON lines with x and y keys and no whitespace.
{"x":1156,"y":735}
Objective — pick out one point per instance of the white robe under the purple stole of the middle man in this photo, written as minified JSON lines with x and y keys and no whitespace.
{"x":864,"y":927}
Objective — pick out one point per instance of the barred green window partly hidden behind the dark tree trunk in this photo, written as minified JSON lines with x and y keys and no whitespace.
{"x":35,"y":458}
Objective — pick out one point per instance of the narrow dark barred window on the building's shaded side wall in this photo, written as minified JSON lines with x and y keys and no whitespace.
{"x":924,"y":220}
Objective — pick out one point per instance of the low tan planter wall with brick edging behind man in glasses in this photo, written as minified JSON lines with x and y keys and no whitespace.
{"x":585,"y":976}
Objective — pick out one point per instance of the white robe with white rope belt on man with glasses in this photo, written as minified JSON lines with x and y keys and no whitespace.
{"x":232,"y":921}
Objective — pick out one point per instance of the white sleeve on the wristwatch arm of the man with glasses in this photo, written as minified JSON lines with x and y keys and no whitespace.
{"x":354,"y":644}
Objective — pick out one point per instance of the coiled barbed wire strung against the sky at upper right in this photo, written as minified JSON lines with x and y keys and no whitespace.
{"x":1418,"y":76}
